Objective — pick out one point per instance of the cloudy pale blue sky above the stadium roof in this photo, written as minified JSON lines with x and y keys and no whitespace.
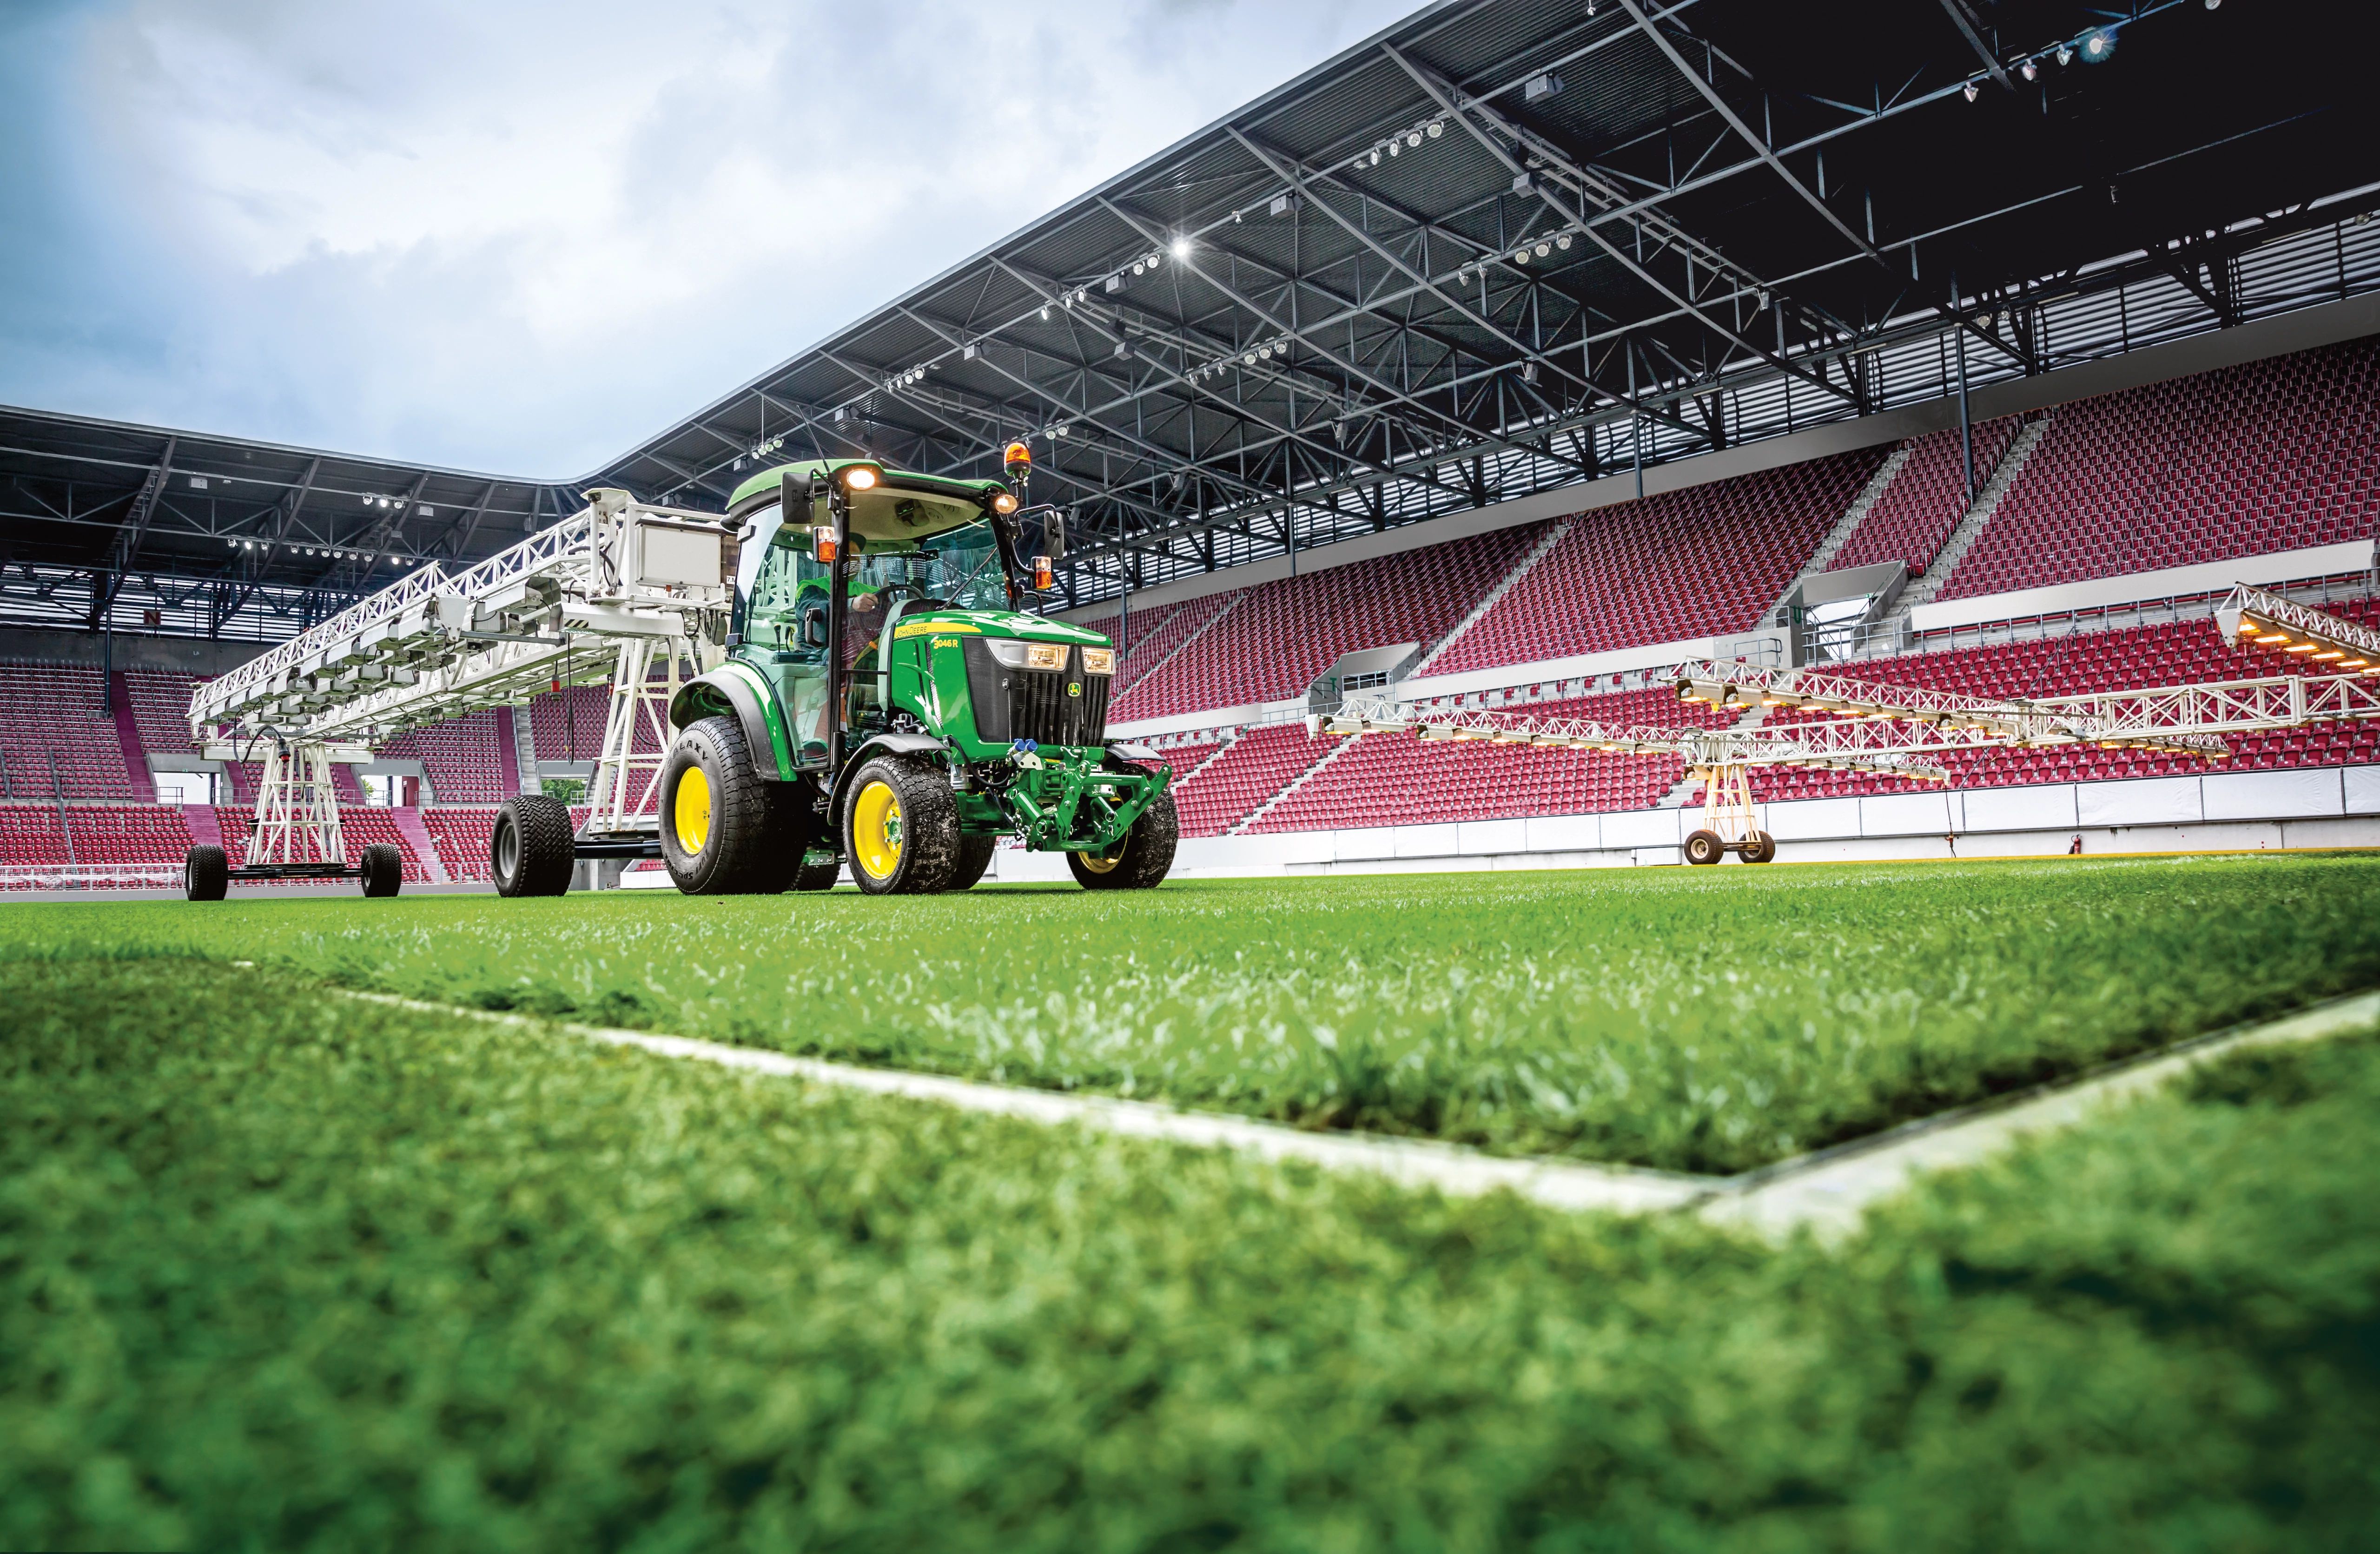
{"x":522,"y":237}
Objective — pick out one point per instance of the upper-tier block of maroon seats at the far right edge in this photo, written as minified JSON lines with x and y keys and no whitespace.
{"x":2250,"y":460}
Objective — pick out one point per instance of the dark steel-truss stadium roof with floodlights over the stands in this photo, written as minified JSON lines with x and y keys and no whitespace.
{"x":1498,"y":249}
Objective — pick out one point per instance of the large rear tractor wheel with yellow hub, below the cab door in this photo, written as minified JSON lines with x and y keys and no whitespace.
{"x":725,"y":829}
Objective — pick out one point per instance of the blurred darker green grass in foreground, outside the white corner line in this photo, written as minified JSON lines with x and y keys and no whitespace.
{"x":284,"y":1272}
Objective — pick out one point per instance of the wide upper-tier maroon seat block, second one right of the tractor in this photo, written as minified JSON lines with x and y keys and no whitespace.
{"x":1679,"y":565}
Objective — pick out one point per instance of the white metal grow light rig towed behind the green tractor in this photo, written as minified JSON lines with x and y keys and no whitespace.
{"x":622,"y":591}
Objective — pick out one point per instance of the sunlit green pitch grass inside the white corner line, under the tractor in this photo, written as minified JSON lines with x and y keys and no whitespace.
{"x":1686,"y":1020}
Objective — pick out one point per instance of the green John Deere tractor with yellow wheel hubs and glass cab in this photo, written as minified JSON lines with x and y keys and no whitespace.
{"x":891,"y":703}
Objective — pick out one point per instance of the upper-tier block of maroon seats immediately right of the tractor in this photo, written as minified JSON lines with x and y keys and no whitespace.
{"x":1282,"y":637}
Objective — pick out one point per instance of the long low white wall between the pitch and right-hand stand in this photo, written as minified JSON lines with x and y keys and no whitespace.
{"x":2217,"y":813}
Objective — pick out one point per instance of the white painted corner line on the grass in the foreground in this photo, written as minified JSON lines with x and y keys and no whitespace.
{"x":1824,"y":1191}
